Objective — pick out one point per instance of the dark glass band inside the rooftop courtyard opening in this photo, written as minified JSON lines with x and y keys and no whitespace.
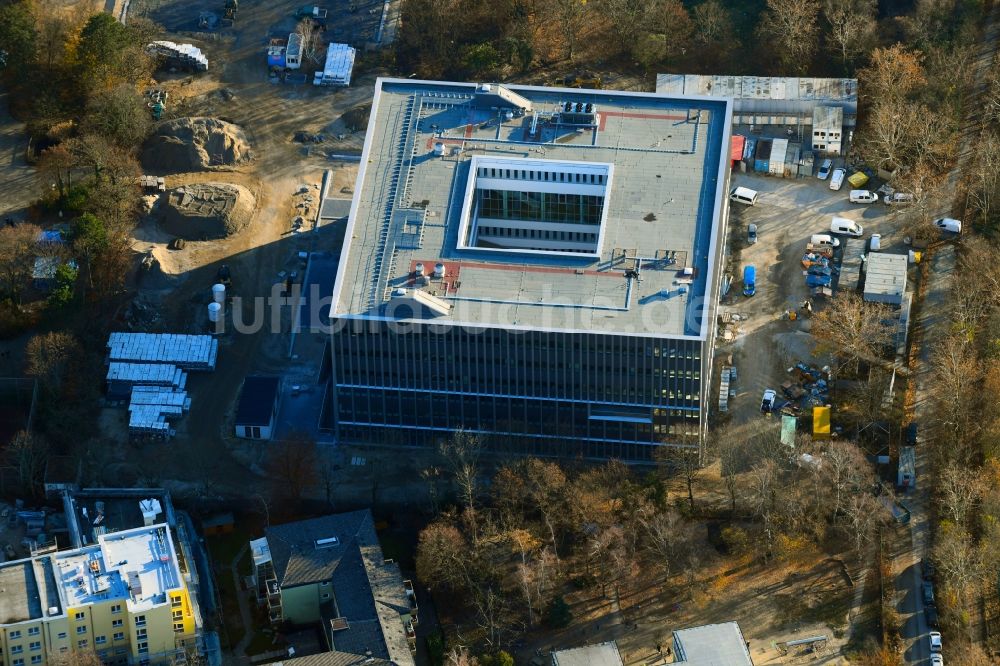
{"x":540,"y":207}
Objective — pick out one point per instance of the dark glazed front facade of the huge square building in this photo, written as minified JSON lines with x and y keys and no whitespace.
{"x":537,"y":393}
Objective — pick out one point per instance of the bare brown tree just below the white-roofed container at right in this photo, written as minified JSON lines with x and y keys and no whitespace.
{"x":854,"y":330}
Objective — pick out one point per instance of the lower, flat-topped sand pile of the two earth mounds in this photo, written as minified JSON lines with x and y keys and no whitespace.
{"x":205,"y":211}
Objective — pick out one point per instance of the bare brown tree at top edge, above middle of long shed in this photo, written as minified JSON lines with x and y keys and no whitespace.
{"x":792,"y":27}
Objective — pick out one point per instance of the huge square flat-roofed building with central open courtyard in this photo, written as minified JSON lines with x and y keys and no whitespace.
{"x":538,"y":265}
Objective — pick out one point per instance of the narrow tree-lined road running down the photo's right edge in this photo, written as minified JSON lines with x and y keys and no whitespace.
{"x":931,"y":324}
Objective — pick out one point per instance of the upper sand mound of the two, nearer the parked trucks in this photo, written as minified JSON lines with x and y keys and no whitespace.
{"x":196,"y":144}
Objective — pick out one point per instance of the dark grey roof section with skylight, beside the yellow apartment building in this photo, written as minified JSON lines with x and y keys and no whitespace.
{"x":297,"y":560}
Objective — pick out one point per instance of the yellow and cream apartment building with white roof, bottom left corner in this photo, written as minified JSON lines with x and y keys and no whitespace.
{"x":123,"y":598}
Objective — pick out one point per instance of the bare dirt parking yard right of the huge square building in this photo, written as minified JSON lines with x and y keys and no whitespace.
{"x":787,"y":213}
